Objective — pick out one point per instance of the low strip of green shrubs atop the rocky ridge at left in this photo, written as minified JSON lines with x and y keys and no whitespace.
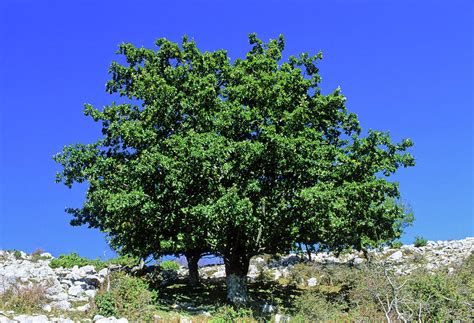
{"x":73,"y":259}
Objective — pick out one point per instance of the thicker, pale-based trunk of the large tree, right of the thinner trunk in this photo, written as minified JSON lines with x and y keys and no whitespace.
{"x":236,"y":269}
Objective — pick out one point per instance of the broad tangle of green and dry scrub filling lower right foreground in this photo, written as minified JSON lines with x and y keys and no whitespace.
{"x":373,"y":292}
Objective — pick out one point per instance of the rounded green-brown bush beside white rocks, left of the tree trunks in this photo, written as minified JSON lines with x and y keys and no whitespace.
{"x":128,"y":297}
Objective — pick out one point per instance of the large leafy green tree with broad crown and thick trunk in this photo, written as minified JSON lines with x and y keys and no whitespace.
{"x":232,"y":157}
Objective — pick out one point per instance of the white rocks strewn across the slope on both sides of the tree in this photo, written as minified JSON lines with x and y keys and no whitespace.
{"x":71,"y":290}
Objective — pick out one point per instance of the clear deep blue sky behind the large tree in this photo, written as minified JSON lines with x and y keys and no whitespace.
{"x":405,"y":67}
